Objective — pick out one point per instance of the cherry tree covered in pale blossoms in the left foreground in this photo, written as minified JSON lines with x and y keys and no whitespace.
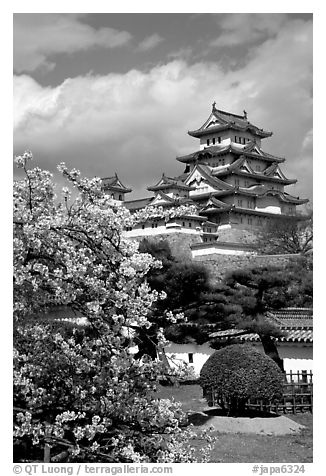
{"x":80,"y":394}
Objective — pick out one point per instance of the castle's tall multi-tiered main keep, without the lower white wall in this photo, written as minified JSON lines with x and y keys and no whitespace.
{"x":230,"y":179}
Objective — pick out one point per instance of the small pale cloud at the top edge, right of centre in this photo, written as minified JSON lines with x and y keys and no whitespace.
{"x":247,"y":28}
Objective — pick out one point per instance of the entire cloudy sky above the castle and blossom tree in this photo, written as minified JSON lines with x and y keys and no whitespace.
{"x":116,"y":92}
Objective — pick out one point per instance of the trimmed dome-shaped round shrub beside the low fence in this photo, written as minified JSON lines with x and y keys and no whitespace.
{"x":239,"y":372}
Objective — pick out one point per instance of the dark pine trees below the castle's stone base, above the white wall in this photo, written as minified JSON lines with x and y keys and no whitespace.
{"x":241,"y":302}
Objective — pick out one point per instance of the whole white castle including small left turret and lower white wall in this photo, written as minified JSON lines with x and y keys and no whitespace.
{"x":235,"y":186}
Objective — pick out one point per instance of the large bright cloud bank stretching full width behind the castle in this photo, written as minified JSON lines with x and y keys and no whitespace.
{"x":136,"y":123}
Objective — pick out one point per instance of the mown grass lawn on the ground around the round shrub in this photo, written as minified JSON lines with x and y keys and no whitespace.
{"x":248,"y":448}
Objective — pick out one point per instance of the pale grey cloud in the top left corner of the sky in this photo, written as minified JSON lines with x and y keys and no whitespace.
{"x":37,"y":36}
